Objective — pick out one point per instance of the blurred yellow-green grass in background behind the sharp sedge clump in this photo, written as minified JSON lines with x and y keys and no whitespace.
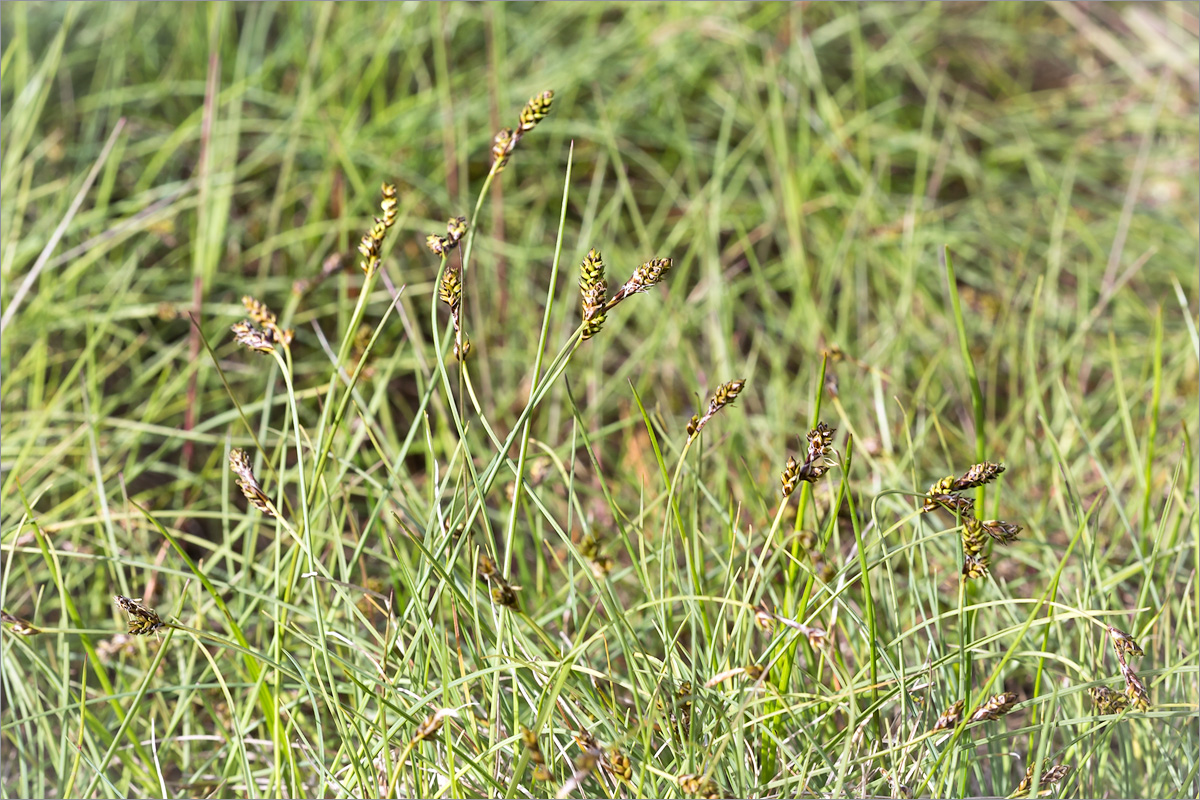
{"x":802,"y":164}
